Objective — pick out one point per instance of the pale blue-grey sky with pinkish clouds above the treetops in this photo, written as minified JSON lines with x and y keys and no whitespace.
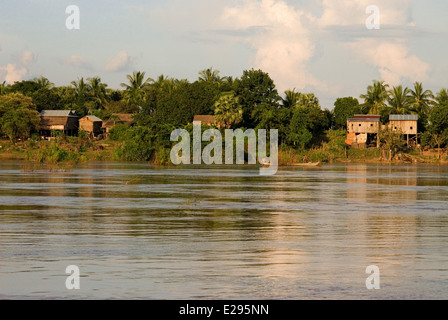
{"x":318,"y":46}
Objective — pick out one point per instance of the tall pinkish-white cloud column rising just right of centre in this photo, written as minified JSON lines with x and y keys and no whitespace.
{"x":283,"y":44}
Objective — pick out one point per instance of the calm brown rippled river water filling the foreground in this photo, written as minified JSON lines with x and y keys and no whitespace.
{"x":142,"y":232}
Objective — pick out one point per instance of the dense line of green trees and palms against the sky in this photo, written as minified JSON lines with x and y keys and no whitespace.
{"x":249,"y":101}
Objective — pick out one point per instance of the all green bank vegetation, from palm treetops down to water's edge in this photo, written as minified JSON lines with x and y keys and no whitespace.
{"x":251,"y":101}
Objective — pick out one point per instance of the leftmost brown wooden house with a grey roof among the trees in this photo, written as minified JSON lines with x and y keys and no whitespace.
{"x":65,"y":121}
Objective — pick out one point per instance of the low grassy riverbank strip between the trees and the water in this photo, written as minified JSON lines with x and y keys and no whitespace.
{"x":73,"y":150}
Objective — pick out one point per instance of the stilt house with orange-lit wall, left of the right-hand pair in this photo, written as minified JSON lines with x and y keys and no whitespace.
{"x":363,"y":130}
